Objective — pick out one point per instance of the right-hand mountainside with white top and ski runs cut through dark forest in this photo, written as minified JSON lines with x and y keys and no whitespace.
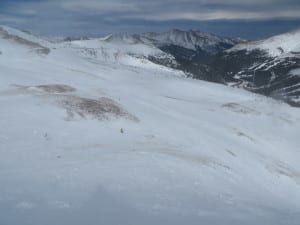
{"x":269,"y":67}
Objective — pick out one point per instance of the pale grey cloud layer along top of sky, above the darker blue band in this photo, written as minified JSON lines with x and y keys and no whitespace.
{"x":188,"y":9}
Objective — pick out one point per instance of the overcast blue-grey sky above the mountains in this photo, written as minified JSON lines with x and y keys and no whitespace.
{"x":245,"y":18}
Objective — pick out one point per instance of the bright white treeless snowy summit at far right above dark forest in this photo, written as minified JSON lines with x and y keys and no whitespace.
{"x":278,"y":45}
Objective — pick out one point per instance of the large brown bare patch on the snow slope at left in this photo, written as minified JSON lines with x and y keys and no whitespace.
{"x":77,"y":107}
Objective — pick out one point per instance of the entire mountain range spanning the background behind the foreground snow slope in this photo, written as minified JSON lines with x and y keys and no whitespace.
{"x":198,"y":54}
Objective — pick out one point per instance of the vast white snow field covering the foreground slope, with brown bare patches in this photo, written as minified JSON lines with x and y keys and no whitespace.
{"x":92,"y":135}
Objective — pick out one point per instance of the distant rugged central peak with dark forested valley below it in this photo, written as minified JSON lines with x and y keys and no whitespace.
{"x":192,"y":51}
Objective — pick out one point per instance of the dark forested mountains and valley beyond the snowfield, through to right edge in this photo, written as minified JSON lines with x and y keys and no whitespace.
{"x":269,"y":67}
